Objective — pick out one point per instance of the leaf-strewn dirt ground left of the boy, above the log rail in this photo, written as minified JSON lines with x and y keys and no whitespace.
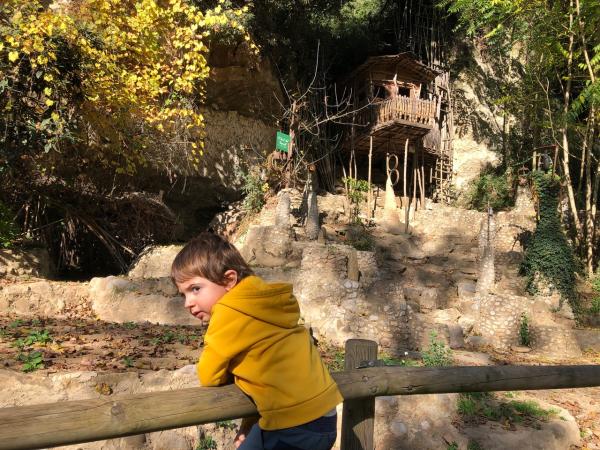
{"x":72,"y":345}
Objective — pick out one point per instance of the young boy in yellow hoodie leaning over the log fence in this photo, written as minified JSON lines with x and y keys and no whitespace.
{"x":254,"y":339}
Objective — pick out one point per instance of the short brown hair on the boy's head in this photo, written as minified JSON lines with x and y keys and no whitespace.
{"x":208,"y":256}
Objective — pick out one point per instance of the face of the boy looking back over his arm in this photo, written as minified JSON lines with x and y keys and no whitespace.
{"x":201,"y":295}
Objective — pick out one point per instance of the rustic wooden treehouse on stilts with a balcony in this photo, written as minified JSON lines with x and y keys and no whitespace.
{"x":401,"y":107}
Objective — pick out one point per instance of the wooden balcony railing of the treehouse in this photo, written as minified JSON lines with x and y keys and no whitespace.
{"x":413,"y":110}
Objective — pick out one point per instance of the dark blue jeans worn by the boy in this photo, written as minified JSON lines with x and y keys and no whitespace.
{"x":320,"y":434}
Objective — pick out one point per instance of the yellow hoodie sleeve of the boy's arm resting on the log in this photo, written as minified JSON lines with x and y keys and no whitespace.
{"x":222,"y":343}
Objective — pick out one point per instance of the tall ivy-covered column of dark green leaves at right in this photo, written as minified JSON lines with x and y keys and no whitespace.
{"x":549,"y":257}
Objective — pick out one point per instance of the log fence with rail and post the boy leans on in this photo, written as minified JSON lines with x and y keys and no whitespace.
{"x":54,"y":424}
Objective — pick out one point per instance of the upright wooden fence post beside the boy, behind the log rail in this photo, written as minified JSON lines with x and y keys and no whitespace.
{"x":358,"y":415}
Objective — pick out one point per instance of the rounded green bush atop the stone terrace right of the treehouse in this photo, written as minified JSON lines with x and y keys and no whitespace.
{"x":490,"y":189}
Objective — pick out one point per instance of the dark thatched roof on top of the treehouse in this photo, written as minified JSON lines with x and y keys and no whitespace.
{"x":405,"y":65}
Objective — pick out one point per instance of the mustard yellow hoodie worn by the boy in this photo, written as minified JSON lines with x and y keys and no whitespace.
{"x":253,"y":334}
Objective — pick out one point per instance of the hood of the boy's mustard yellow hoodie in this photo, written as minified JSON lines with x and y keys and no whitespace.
{"x":271,"y":303}
